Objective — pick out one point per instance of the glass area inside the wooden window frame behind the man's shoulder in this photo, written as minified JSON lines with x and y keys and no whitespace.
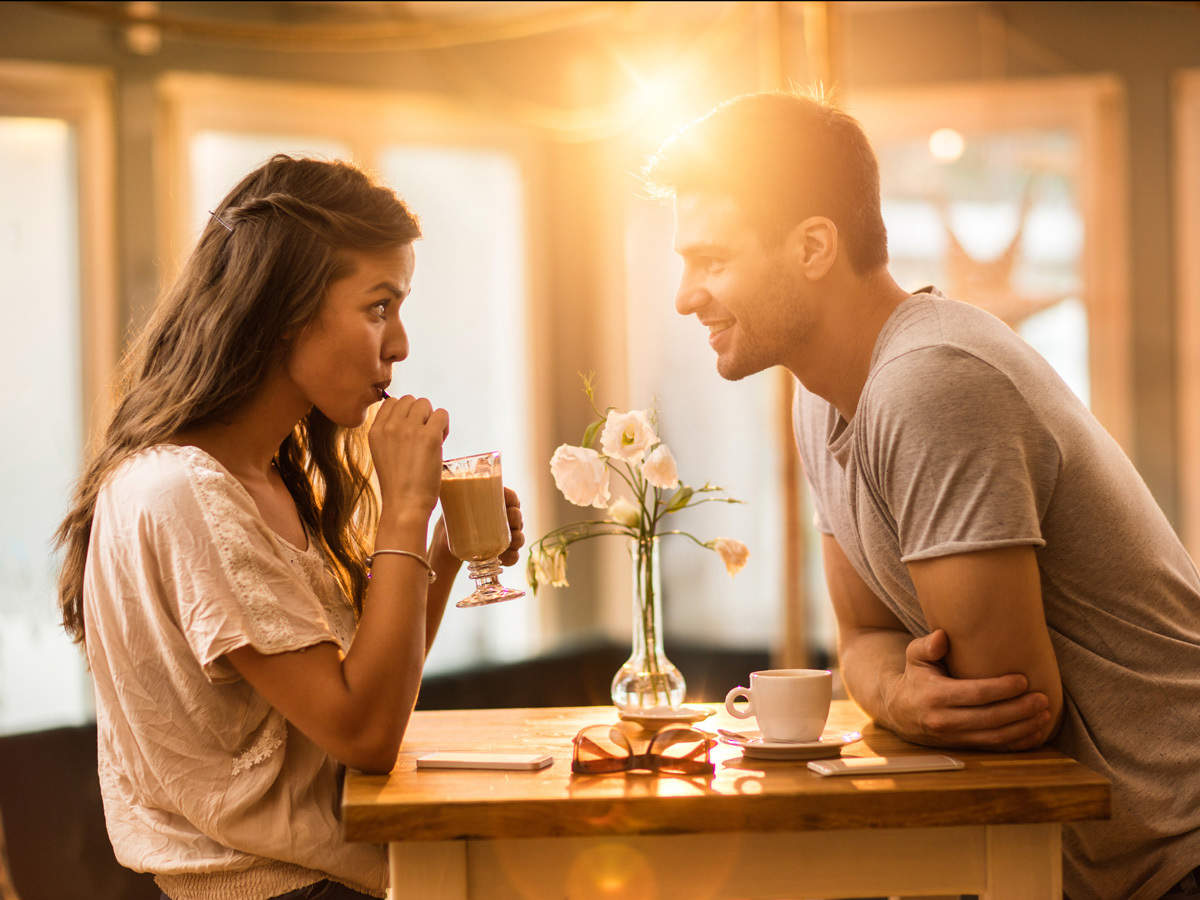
{"x":997,"y":221}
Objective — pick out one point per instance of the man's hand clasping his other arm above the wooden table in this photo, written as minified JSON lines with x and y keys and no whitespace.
{"x":927,"y":706}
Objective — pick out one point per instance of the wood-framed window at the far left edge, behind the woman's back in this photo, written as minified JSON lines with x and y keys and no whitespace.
{"x":56,"y":259}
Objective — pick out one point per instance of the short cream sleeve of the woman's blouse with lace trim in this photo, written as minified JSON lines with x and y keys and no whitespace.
{"x":231,"y":580}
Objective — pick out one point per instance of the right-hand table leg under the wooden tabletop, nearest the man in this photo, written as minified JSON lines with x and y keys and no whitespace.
{"x":1024,"y":862}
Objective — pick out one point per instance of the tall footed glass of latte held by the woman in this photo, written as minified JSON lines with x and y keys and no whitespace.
{"x":478,"y":523}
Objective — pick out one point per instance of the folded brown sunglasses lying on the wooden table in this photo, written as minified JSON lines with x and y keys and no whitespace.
{"x":601,"y":749}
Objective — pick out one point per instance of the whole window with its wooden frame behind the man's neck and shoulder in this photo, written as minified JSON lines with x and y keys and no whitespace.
{"x":1004,"y":195}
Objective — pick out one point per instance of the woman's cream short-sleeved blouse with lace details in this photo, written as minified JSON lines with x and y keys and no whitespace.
{"x":206,"y":784}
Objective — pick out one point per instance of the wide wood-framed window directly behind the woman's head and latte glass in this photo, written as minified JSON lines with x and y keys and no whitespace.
{"x":469,"y":193}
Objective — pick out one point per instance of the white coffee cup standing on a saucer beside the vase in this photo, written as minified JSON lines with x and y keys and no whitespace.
{"x":789,"y":704}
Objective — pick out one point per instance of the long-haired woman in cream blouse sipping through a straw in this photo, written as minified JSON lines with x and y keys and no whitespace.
{"x":217,"y":561}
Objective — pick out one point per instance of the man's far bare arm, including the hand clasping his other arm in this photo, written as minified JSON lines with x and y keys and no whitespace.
{"x":903,"y":683}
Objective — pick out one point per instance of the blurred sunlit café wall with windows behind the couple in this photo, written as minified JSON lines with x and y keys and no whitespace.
{"x":1037,"y":159}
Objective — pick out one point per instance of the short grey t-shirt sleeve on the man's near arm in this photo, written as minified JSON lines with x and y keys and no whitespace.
{"x":958,"y":459}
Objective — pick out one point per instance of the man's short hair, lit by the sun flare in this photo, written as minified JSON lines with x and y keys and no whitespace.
{"x":783,"y":158}
